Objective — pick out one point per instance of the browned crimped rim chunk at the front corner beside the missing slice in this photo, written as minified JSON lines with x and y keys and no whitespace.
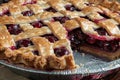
{"x":65,"y":62}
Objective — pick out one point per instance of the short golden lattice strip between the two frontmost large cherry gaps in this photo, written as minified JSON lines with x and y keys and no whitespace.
{"x":44,"y":47}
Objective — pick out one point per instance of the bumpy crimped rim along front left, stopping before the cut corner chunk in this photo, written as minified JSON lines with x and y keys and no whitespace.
{"x":27,"y":58}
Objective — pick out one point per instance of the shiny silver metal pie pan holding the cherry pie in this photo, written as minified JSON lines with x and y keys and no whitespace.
{"x":89,"y":65}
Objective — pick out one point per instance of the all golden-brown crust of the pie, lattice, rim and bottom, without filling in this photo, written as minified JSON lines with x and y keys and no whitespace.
{"x":46,"y":59}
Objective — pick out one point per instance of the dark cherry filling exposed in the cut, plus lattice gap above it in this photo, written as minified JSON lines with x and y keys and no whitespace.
{"x":77,"y":38}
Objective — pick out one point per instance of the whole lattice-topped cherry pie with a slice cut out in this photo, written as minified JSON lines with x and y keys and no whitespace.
{"x":44,"y":33}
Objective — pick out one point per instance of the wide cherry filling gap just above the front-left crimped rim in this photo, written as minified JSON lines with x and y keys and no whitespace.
{"x":23,"y":43}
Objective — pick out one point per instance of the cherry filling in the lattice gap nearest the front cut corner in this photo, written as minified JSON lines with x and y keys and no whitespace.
{"x":59,"y":52}
